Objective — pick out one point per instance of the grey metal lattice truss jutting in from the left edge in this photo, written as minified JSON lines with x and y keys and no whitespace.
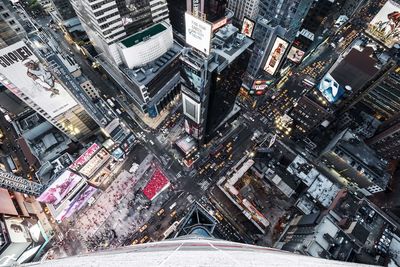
{"x":19,"y":184}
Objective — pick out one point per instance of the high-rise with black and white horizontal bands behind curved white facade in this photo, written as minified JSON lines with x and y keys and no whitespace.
{"x":106,"y":24}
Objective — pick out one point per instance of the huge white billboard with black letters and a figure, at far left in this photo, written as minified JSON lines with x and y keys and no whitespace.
{"x":23,"y":74}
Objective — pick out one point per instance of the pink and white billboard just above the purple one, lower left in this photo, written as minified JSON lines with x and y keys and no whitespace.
{"x":60,"y":188}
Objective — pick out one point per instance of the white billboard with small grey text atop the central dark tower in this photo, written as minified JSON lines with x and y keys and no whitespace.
{"x":198,"y":33}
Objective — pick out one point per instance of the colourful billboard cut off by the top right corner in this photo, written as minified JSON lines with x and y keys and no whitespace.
{"x":385,"y":26}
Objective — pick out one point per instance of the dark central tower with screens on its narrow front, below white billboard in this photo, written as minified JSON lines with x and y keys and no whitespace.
{"x":210,"y":83}
